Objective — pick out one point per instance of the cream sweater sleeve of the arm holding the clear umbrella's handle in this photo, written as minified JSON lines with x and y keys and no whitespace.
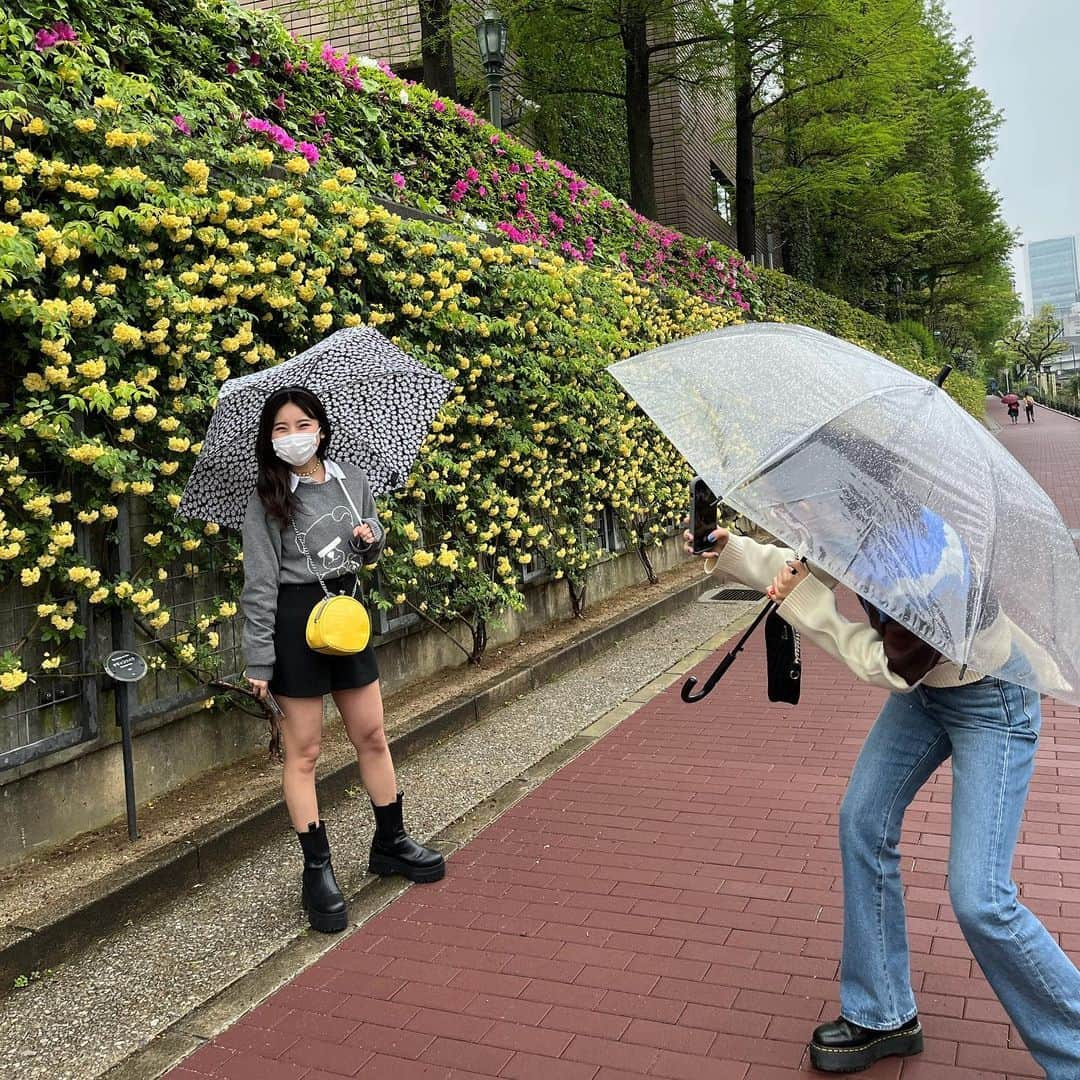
{"x":812,"y":610}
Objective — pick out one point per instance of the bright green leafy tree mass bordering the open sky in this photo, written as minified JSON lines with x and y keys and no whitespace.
{"x":879,"y":185}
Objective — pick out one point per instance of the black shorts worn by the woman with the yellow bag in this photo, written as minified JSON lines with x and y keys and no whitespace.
{"x":301,"y":672}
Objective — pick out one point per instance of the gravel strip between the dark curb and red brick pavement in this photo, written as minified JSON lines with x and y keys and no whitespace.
{"x":109,"y":1002}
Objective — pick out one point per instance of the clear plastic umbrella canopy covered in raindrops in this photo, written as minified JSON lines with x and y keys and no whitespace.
{"x":881,"y":479}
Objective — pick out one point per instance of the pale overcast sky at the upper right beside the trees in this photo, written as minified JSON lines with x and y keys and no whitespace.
{"x":1028,"y":57}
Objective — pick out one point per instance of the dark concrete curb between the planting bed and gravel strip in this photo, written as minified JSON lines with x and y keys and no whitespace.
{"x":56,"y":931}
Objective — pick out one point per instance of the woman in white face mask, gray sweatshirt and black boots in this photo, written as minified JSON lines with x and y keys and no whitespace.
{"x":312,"y":521}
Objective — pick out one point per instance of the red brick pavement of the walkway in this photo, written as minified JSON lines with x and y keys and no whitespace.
{"x":669,"y":906}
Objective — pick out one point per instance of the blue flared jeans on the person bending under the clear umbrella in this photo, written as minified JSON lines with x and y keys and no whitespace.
{"x":991,"y":731}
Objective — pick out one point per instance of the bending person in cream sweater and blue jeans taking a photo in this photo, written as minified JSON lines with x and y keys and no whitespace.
{"x":991,"y":731}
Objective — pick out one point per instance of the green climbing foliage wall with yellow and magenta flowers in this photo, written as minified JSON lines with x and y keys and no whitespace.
{"x":147,"y":265}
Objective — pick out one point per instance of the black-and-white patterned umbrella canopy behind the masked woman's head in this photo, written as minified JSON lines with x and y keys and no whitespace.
{"x":380,"y":401}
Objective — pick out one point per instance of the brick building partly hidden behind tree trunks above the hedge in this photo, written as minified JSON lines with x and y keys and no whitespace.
{"x":692,"y":129}
